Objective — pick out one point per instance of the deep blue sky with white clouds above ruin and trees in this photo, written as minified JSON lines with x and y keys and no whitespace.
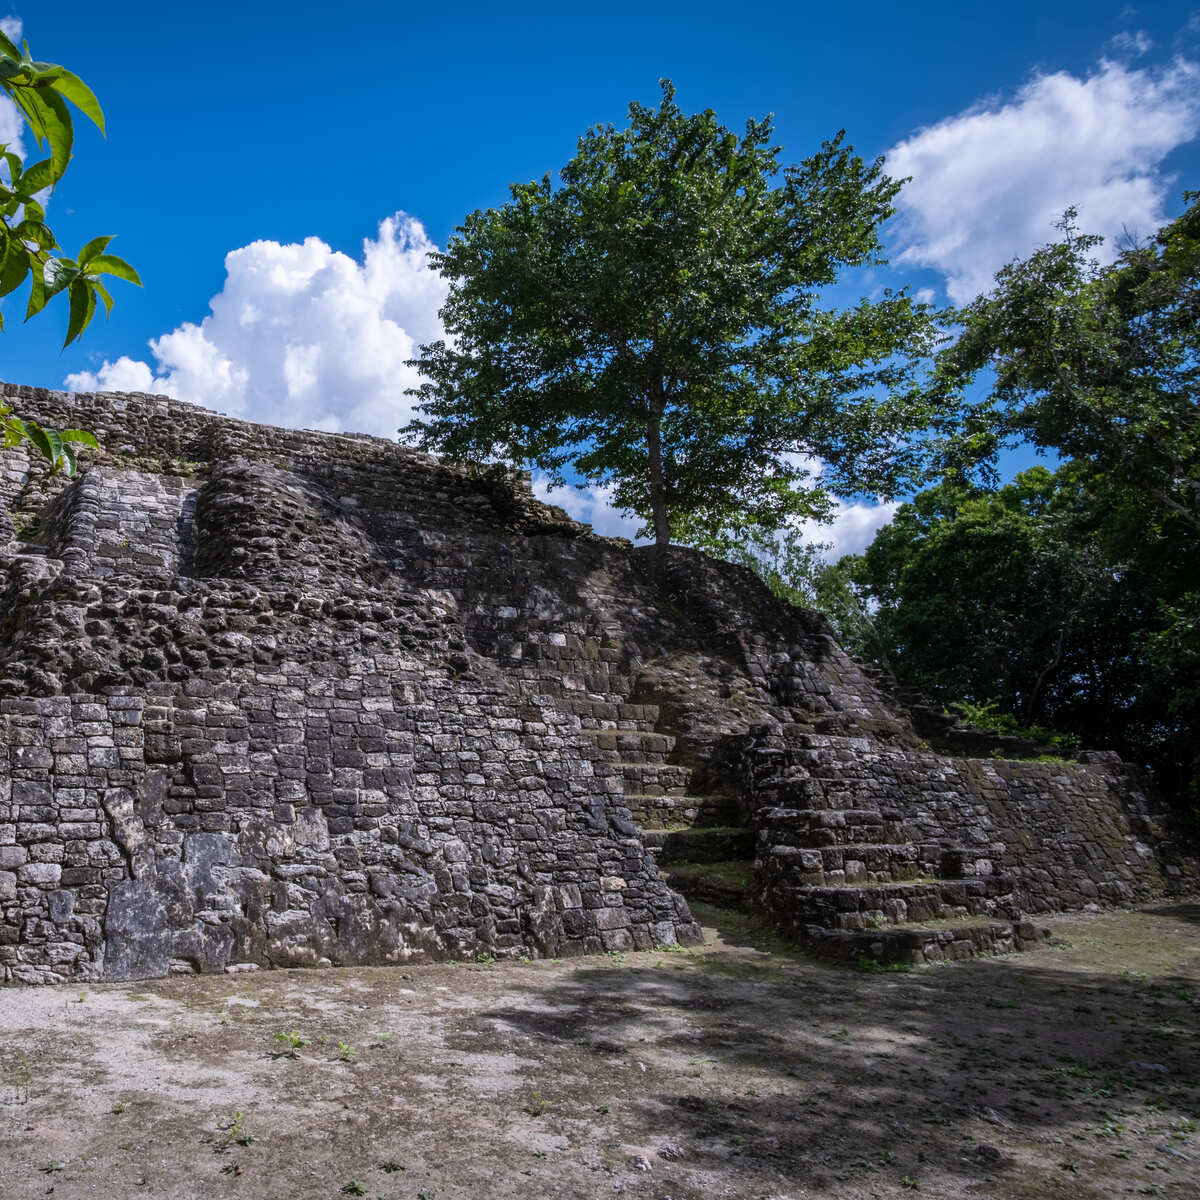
{"x":278,"y":175}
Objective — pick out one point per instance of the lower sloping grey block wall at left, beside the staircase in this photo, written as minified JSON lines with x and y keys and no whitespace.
{"x":286,"y":820}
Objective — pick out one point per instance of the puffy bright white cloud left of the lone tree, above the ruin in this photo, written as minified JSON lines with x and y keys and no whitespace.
{"x":302,"y":335}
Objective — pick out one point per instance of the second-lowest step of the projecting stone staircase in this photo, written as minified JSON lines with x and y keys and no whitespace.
{"x":893,"y":904}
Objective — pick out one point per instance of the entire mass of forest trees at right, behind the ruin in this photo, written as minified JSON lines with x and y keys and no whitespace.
{"x":1069,"y":601}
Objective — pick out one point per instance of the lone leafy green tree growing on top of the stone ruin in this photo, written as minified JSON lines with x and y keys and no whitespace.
{"x":656,"y":323}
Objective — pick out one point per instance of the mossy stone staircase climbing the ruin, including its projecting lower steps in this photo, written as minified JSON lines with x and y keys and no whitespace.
{"x":855,"y":877}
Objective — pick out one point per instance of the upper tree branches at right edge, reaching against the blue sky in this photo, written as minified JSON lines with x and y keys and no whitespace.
{"x":1097,"y":363}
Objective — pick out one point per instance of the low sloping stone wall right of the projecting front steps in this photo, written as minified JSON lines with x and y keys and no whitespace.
{"x":1066,"y":835}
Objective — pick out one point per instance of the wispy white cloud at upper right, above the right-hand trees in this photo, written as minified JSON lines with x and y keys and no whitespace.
{"x":989,"y":184}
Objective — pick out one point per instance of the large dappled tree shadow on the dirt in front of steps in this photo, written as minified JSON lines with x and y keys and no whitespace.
{"x":905,"y":1073}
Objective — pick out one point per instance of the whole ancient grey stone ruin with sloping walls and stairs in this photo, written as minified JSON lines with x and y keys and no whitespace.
{"x":289,"y":699}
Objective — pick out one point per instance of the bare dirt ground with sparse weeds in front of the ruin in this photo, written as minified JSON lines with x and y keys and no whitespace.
{"x":733,"y":1070}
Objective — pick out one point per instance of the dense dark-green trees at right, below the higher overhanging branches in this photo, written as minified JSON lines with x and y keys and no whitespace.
{"x":1065,"y":599}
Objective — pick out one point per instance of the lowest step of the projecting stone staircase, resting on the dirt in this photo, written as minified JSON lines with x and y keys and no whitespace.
{"x":916,"y":945}
